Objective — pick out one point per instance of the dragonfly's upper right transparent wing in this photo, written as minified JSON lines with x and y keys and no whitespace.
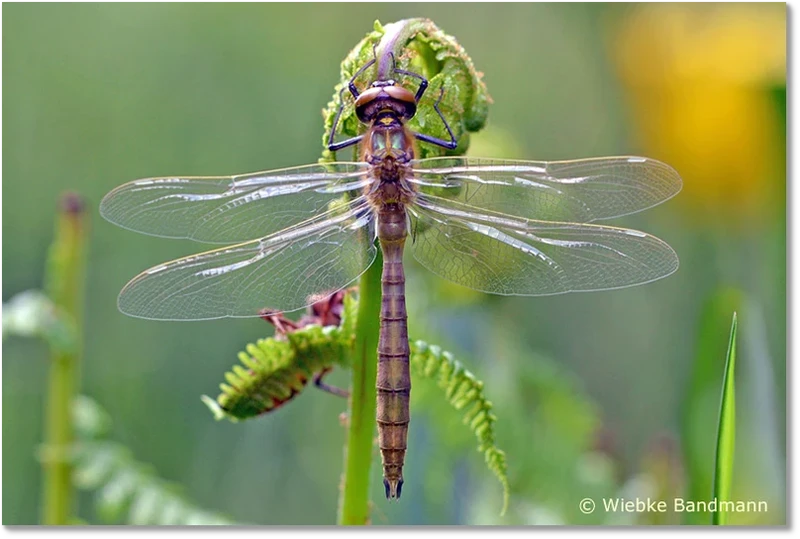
{"x":583,"y":190}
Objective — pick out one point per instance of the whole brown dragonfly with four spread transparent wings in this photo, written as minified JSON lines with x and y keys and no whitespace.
{"x":508,"y":227}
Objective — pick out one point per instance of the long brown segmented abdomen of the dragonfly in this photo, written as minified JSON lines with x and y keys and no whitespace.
{"x":394,"y":379}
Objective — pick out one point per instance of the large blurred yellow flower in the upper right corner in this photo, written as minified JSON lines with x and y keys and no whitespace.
{"x":700,"y":78}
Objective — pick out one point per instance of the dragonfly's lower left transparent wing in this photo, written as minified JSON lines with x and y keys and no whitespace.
{"x":280,"y":271}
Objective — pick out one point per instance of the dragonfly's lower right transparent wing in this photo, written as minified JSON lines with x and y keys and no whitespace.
{"x":503,"y":255}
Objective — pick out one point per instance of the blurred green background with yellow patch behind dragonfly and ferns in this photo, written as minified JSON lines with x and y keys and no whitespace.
{"x":596,"y":394}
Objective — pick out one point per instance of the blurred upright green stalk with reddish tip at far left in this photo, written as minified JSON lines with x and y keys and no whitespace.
{"x":64,"y":286}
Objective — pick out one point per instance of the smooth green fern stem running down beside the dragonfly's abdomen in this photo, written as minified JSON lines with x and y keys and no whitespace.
{"x":354,"y":500}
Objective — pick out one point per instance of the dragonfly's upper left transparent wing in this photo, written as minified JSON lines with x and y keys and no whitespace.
{"x":231,"y":209}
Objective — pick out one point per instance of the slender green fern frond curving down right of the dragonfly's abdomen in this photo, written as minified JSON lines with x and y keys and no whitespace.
{"x":464,"y":392}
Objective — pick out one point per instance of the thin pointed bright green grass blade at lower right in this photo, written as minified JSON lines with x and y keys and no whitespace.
{"x":726,"y":433}
